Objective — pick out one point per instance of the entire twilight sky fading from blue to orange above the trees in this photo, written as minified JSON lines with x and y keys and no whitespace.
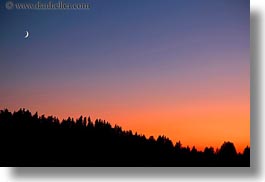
{"x":175,"y":67}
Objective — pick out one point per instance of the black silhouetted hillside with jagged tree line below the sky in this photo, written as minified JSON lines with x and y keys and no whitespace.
{"x":33,"y":140}
